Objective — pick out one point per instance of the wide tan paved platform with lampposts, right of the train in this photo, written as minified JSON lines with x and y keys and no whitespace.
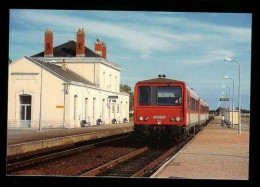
{"x":216,"y":153}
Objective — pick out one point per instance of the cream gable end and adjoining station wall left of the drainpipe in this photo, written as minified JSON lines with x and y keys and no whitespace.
{"x":52,"y":94}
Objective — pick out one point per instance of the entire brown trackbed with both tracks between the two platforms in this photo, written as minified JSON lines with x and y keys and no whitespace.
{"x":119,"y":156}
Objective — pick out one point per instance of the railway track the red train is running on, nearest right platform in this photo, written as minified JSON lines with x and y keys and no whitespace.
{"x":136,"y":164}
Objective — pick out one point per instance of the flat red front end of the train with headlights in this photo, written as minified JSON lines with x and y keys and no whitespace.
{"x":159,"y":109}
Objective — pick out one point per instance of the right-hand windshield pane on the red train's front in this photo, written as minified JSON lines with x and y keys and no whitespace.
{"x":168,"y":95}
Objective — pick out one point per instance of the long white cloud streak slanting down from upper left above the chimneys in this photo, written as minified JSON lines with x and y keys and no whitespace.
{"x":132,"y":38}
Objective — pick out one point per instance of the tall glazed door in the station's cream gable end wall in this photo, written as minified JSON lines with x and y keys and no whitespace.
{"x":25,"y":110}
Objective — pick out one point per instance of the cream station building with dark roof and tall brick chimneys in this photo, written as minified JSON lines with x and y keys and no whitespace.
{"x":65,"y":86}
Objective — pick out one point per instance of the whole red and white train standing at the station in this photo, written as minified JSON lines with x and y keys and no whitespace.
{"x":166,"y":108}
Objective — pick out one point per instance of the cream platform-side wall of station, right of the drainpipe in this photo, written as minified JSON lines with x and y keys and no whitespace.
{"x":93,"y":104}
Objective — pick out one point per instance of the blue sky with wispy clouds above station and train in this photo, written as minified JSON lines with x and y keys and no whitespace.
{"x":184,"y":46}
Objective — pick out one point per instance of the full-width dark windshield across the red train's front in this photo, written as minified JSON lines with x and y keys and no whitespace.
{"x":159,"y":95}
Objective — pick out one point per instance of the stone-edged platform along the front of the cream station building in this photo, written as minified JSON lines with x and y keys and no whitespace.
{"x":22,"y":140}
